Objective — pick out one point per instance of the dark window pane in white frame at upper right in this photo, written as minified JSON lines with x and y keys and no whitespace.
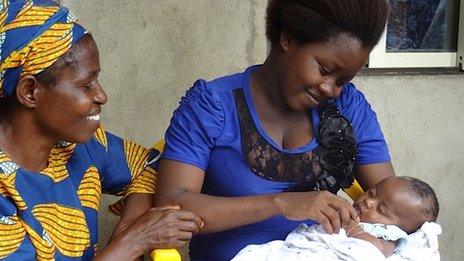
{"x":423,"y":26}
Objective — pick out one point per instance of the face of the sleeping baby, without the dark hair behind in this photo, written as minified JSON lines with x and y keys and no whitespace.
{"x":390,"y":203}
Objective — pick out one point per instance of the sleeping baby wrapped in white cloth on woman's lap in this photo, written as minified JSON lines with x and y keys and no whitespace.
{"x":389,"y":213}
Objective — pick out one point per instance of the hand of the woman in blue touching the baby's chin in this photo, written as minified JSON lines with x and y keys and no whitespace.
{"x":327,"y":209}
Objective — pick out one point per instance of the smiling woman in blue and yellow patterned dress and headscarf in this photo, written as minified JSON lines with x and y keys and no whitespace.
{"x":55,"y":157}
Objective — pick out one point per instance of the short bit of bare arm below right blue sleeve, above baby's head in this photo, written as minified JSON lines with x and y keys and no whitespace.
{"x":371,"y":174}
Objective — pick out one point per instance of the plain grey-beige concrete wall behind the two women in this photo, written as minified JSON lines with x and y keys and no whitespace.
{"x":153,"y":50}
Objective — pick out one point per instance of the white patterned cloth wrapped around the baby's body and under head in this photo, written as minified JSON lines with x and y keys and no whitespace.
{"x":312,"y":243}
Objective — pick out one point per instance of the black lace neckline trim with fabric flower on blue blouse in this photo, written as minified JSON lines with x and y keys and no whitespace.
{"x":328,"y":167}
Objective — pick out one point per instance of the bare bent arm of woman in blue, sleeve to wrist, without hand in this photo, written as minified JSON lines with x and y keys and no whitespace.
{"x":180,"y":183}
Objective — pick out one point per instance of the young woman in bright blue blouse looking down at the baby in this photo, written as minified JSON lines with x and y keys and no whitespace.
{"x":258,"y":152}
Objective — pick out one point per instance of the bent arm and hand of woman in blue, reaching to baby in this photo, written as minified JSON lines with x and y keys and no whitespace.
{"x":180,"y":183}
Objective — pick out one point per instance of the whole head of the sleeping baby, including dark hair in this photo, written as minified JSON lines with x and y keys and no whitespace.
{"x":402,"y":201}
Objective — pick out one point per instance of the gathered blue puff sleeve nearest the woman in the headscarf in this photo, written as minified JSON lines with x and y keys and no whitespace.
{"x":195,"y":126}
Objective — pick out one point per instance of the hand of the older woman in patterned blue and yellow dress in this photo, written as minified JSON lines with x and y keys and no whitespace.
{"x":160,"y":227}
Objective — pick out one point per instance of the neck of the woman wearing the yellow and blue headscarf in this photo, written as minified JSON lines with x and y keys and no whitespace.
{"x":23,"y":143}
